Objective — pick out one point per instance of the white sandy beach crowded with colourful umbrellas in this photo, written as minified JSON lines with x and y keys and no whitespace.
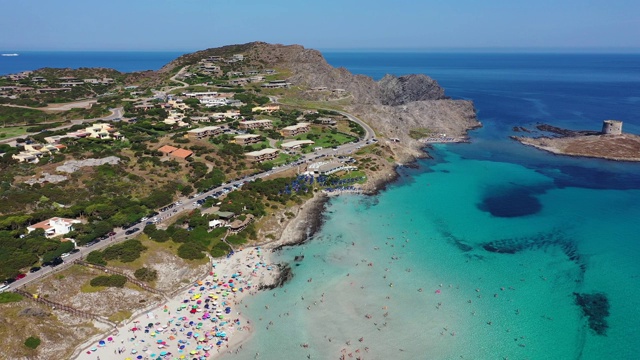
{"x":202,"y":322}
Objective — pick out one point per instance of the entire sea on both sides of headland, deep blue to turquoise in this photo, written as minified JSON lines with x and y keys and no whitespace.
{"x":487,"y":250}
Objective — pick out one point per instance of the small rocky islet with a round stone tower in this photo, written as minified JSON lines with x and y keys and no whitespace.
{"x":610,"y":143}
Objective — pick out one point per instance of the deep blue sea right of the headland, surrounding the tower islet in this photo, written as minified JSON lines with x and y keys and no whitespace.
{"x":576,"y":91}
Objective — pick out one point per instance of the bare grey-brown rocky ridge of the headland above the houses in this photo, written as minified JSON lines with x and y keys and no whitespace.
{"x":393,"y":106}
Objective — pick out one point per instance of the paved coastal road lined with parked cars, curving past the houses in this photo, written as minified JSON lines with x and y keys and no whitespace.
{"x":187,"y":204}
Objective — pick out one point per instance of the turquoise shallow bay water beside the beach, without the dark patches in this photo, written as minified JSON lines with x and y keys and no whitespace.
{"x":426,"y":232}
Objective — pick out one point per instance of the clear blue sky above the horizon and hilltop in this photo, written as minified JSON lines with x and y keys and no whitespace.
{"x":322,"y":24}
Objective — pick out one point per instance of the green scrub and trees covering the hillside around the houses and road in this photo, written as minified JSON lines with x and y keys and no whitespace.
{"x":112,"y":196}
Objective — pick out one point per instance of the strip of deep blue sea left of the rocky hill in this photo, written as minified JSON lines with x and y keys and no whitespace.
{"x":123,"y":61}
